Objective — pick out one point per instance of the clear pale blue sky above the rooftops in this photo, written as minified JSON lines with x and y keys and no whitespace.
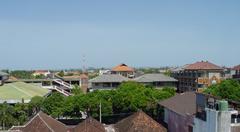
{"x":61,"y":34}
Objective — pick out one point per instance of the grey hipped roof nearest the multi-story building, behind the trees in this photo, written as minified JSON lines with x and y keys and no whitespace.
{"x":155,"y":78}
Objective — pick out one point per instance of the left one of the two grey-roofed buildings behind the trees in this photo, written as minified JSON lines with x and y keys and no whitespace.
{"x":107,"y":81}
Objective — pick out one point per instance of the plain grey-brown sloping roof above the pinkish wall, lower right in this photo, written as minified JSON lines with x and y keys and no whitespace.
{"x":183,"y":104}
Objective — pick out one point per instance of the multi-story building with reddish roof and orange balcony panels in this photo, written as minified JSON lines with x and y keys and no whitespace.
{"x":198,"y":75}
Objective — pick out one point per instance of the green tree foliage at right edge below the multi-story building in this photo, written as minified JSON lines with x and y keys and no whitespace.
{"x":227,"y":89}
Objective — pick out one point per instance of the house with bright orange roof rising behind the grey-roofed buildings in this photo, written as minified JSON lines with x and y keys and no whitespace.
{"x":123,"y":70}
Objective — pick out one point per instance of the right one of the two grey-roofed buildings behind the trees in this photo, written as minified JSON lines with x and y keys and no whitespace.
{"x":157,"y":80}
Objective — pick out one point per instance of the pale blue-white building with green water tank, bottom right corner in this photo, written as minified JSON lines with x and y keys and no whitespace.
{"x":215,"y":115}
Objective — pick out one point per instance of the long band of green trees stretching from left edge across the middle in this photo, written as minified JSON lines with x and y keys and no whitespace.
{"x":128,"y":98}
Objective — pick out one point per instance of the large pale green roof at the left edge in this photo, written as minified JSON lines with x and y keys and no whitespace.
{"x":20,"y":90}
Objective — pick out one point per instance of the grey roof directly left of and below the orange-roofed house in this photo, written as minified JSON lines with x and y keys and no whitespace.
{"x":109,"y":78}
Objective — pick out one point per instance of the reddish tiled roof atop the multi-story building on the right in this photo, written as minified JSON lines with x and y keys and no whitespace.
{"x":203,"y":65}
